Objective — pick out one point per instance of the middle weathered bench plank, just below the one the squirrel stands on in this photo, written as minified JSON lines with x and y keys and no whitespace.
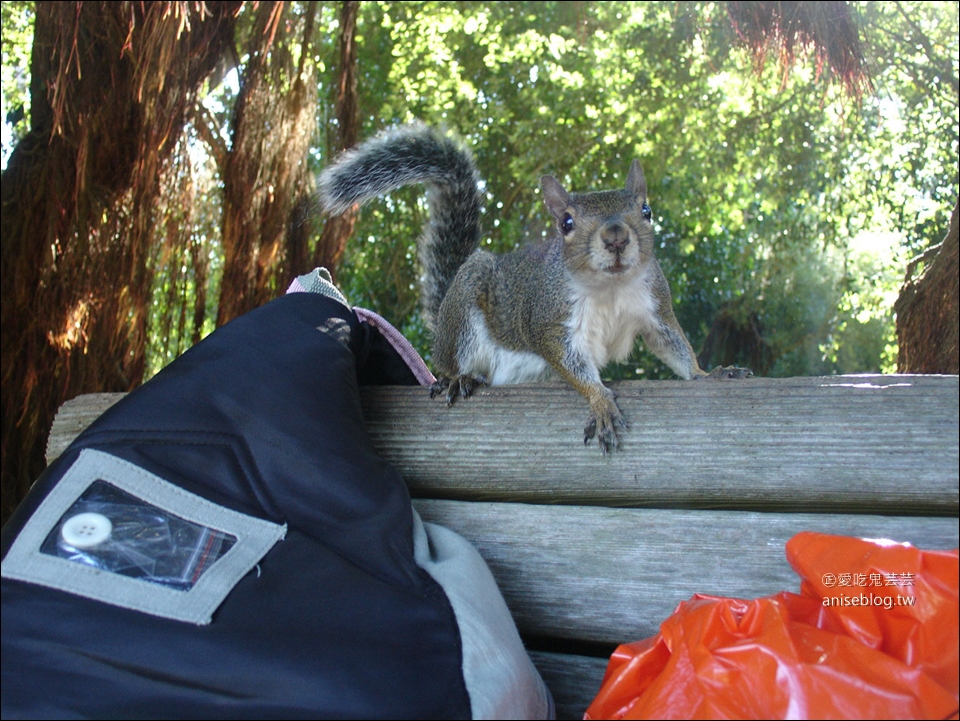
{"x":612,"y":575}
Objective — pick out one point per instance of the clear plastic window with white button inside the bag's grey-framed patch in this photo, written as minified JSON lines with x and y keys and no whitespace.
{"x":112,"y":530}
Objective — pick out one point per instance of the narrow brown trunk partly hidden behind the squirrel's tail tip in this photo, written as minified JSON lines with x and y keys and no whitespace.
{"x":337,"y":230}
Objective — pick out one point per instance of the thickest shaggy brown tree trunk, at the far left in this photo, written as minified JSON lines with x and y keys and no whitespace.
{"x":110,"y":84}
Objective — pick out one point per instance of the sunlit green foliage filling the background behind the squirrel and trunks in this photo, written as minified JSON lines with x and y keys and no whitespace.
{"x":786,"y":212}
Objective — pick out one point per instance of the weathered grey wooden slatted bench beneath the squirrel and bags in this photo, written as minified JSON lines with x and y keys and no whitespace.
{"x":712,"y":479}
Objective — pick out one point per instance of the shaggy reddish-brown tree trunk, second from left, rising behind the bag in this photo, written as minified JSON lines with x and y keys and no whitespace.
{"x":265,"y":173}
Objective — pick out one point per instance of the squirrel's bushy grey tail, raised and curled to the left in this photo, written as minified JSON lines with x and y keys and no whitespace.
{"x":404,"y":156}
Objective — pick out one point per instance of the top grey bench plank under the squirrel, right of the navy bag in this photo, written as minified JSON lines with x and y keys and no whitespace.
{"x":877,"y":444}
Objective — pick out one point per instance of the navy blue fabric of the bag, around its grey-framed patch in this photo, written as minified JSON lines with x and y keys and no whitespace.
{"x":338,"y":621}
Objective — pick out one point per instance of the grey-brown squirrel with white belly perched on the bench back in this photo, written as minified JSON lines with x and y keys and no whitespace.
{"x":564,"y":307}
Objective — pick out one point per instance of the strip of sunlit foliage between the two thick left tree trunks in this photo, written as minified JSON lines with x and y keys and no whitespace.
{"x":188,"y":265}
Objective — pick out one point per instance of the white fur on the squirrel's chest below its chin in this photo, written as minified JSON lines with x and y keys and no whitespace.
{"x":607,"y":314}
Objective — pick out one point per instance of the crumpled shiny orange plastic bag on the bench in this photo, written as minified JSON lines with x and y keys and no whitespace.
{"x":873,"y":633}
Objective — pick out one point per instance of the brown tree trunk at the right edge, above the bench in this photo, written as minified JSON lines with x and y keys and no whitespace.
{"x":927,"y":311}
